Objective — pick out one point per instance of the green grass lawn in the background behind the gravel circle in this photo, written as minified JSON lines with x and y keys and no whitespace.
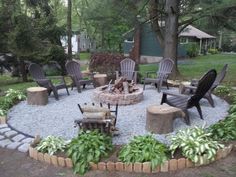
{"x":189,"y":68}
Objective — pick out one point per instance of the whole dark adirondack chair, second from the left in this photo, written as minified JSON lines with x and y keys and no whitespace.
{"x":73,"y":70}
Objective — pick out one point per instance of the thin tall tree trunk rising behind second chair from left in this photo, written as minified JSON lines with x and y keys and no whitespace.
{"x":69,"y":32}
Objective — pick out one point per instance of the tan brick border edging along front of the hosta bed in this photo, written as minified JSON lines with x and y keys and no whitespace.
{"x":170,"y":165}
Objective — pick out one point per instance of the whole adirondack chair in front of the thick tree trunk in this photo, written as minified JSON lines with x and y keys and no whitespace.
{"x":163,"y":73}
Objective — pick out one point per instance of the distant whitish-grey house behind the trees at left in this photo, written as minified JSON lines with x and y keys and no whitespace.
{"x":80,"y":43}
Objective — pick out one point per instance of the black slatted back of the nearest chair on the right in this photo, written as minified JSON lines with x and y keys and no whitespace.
{"x":204,"y":84}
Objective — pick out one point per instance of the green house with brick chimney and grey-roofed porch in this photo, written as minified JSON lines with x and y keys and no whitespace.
{"x":142,"y":44}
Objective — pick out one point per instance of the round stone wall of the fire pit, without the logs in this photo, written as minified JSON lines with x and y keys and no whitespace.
{"x":104,"y":96}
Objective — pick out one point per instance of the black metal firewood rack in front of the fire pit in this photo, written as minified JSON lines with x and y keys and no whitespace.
{"x":106,"y":125}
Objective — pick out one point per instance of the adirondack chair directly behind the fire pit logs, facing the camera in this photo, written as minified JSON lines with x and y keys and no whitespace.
{"x":127,"y":70}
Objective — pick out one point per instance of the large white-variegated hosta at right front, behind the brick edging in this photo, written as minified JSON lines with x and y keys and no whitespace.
{"x":195,"y":144}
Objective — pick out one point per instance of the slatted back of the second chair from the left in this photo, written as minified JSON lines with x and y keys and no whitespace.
{"x":73,"y":68}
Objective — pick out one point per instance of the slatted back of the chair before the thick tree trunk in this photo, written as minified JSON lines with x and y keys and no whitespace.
{"x":165,"y":68}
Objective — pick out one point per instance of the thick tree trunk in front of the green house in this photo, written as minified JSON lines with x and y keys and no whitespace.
{"x":171,"y":33}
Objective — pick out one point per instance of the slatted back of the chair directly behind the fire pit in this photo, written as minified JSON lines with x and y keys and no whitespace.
{"x":127,"y":67}
